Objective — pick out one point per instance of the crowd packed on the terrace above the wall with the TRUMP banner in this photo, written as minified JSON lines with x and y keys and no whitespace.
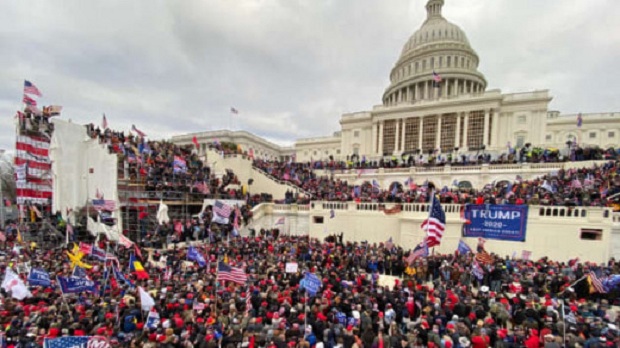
{"x":592,"y":186}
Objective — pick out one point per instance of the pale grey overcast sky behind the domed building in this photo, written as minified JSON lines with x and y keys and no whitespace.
{"x":290,"y":67}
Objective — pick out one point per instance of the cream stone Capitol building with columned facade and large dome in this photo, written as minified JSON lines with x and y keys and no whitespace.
{"x":437,"y":101}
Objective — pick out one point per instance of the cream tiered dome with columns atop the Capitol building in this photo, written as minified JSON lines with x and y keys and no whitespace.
{"x":436,"y":62}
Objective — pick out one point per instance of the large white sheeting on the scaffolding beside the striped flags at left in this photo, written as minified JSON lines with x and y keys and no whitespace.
{"x":81,"y":166}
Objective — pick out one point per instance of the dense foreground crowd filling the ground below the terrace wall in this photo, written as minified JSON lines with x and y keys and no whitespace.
{"x":370,"y":296}
